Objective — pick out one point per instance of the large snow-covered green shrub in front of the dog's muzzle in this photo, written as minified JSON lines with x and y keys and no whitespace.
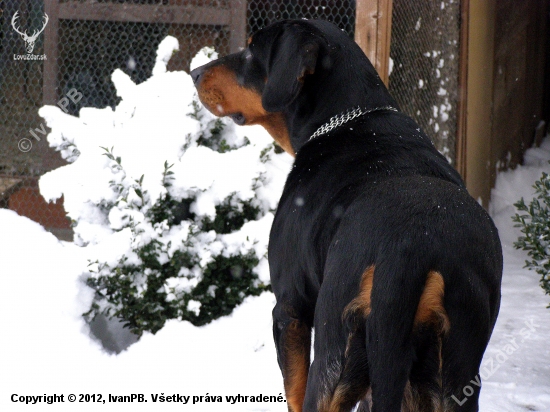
{"x":173,"y":205}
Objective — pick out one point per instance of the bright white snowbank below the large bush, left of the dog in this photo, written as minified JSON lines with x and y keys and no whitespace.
{"x":47,"y":348}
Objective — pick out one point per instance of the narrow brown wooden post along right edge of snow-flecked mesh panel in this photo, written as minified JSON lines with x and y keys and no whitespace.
{"x":461,"y":147}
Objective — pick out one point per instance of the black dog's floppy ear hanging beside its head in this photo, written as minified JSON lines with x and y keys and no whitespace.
{"x":293,"y":57}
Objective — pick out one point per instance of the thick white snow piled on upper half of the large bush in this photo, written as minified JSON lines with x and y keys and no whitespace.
{"x":152,"y":124}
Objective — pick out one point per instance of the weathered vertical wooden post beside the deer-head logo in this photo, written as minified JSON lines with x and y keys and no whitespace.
{"x":51,"y":40}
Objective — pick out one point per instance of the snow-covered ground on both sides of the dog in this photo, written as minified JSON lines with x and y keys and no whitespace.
{"x":46,"y":348}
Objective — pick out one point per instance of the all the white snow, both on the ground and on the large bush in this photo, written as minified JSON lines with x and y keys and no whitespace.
{"x":47,"y":348}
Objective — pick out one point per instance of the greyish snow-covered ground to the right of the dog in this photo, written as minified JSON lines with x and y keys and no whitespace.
{"x":517,"y":362}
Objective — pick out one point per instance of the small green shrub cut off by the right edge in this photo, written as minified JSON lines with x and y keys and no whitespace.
{"x":534,"y":221}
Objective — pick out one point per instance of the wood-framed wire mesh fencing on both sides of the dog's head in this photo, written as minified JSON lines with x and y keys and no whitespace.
{"x":84,"y":41}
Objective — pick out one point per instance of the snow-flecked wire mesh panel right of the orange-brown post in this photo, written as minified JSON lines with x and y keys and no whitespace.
{"x":425,"y":56}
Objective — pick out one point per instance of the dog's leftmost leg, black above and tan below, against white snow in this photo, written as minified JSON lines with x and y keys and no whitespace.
{"x":293,"y":342}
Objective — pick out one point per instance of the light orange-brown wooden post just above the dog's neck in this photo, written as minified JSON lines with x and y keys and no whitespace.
{"x":373,"y":33}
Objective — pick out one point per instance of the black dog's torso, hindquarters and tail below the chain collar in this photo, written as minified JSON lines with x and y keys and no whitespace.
{"x":377,"y":243}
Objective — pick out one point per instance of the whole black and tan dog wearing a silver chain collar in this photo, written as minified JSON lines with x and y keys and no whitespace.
{"x":376,"y":243}
